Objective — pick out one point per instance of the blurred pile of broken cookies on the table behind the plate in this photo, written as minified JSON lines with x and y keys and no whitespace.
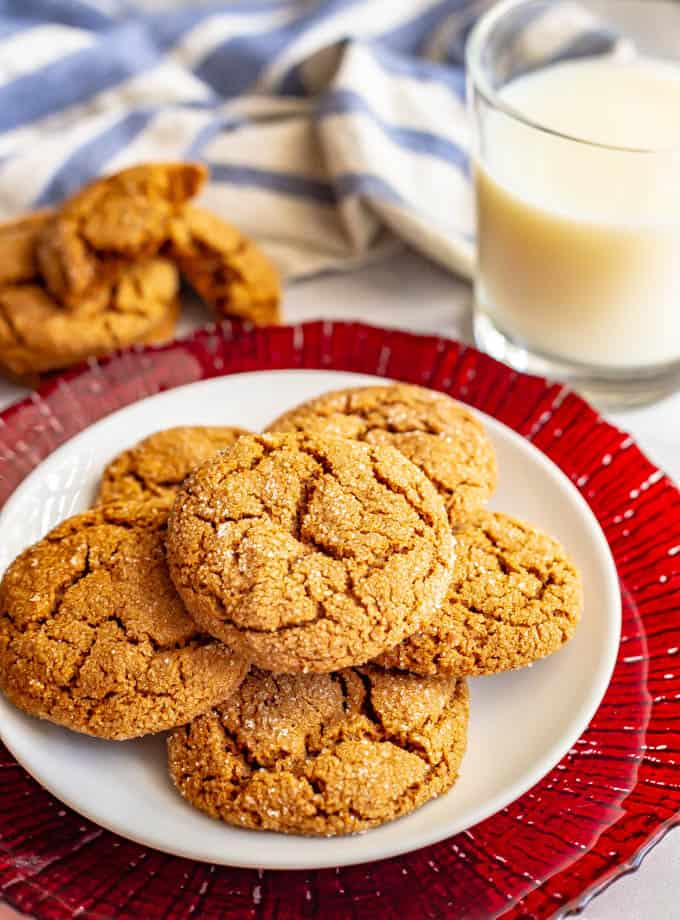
{"x":103,"y":270}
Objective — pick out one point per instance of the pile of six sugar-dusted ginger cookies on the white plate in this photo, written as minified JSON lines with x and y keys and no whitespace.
{"x":301,"y":608}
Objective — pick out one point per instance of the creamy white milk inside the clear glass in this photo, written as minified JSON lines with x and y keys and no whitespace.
{"x":579,"y":241}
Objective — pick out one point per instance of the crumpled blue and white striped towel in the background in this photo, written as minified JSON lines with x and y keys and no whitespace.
{"x":331,"y":128}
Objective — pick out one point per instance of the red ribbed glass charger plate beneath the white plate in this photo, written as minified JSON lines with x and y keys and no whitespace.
{"x":588,"y":821}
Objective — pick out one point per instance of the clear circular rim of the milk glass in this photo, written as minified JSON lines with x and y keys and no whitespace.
{"x":476,"y":76}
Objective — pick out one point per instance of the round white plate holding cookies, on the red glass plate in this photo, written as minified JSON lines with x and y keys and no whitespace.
{"x":521,"y":723}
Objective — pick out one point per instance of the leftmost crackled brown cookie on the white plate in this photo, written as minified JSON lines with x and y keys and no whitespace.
{"x":93,"y":635}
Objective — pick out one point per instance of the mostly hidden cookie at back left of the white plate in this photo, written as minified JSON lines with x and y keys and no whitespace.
{"x":157,"y":466}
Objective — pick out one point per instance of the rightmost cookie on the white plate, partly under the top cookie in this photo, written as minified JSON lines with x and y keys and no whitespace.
{"x":515,"y":597}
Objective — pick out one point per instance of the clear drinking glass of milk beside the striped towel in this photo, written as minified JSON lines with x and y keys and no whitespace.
{"x":576,"y":112}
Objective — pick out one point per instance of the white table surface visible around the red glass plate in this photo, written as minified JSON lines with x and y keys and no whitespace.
{"x":409,"y":293}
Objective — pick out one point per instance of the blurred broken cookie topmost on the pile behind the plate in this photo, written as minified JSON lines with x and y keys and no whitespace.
{"x":113,"y":221}
